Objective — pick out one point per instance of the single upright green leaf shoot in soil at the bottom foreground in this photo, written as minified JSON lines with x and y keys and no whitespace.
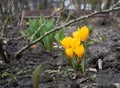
{"x":36,"y":77}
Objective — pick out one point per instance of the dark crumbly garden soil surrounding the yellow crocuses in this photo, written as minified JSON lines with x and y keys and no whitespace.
{"x":56,"y":72}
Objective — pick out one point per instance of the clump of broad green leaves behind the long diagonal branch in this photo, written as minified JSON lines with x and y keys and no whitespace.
{"x":34,"y":27}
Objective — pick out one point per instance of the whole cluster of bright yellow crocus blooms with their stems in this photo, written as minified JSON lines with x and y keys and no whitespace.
{"x":74,"y":46}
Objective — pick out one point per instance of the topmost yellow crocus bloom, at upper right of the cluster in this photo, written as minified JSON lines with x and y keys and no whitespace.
{"x":83,"y":33}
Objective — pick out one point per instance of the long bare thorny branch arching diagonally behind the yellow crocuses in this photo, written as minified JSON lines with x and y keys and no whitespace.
{"x":65,"y":25}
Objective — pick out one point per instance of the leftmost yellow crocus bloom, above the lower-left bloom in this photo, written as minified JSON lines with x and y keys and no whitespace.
{"x":66,"y":42}
